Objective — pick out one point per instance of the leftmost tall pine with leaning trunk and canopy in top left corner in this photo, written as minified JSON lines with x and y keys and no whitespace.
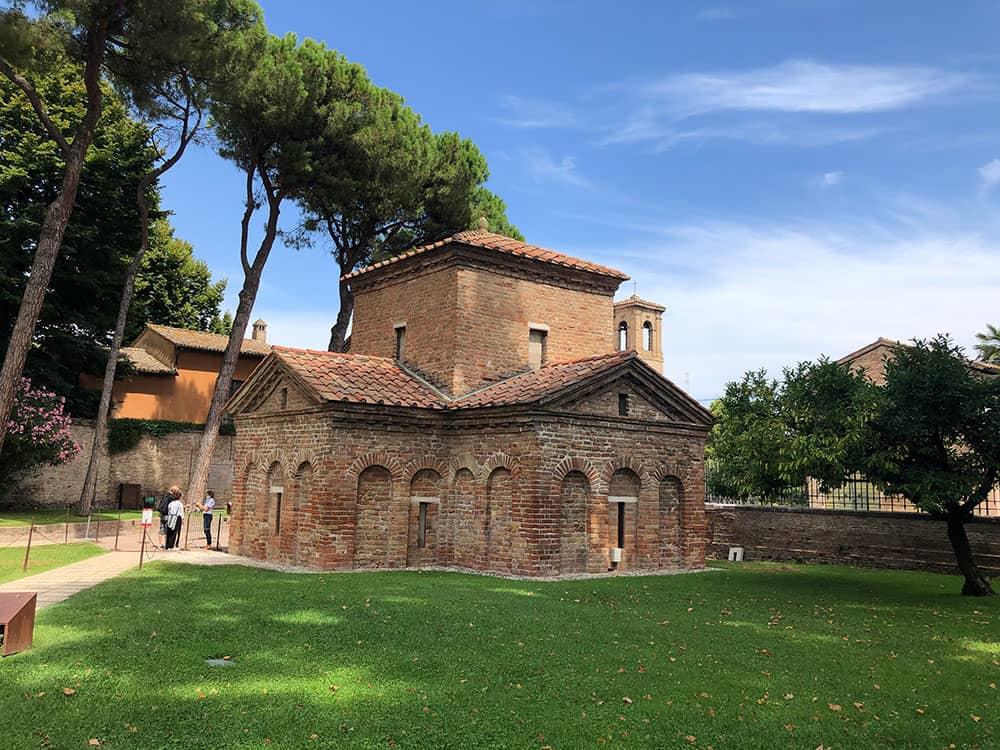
{"x":138,"y":39}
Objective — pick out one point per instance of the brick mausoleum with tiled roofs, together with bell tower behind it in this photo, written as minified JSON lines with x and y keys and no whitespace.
{"x":497,"y":412}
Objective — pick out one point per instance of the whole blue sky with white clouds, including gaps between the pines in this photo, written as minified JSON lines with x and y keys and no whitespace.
{"x":787,"y":178}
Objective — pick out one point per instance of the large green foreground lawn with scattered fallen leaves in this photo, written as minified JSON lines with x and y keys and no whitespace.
{"x":753,"y":656}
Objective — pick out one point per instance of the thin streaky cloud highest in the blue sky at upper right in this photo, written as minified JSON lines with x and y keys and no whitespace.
{"x":802,"y":86}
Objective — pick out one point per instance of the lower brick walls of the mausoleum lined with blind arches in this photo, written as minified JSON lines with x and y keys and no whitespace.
{"x":519,"y":494}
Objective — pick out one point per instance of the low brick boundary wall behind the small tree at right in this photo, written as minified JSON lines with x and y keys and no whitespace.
{"x":868,"y":539}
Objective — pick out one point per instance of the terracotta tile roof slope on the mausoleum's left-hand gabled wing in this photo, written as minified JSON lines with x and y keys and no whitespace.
{"x":357,"y":378}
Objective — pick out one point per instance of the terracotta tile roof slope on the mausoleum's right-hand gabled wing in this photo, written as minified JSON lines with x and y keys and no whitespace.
{"x":532,"y":386}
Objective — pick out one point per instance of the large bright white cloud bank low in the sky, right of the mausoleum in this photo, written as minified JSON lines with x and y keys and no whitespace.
{"x":746,"y":295}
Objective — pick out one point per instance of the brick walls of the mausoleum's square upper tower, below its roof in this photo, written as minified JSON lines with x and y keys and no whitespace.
{"x":467,"y":324}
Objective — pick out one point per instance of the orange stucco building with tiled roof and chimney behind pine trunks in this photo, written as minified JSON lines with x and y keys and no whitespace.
{"x":174,"y":372}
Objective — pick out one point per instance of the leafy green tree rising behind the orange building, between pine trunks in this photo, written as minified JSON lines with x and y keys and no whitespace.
{"x":174,"y":288}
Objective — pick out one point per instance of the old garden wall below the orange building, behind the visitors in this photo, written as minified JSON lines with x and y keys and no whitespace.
{"x":154,"y":464}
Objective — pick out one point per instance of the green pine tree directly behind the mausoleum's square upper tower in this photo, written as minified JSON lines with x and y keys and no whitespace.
{"x":393,"y":185}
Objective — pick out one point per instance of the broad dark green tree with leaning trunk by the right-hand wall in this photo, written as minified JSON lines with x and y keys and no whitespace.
{"x":931,"y":435}
